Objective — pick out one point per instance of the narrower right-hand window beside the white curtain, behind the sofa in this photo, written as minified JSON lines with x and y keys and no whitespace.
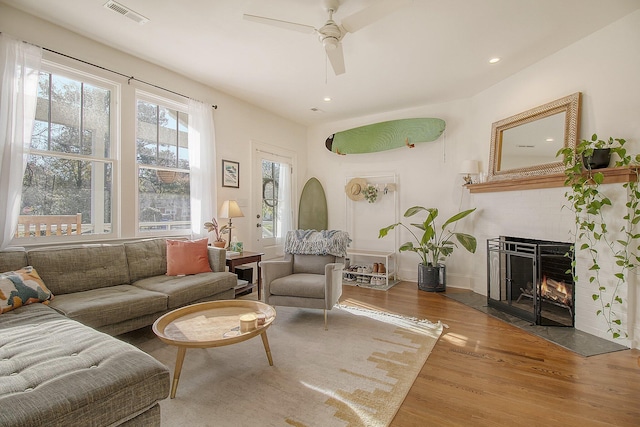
{"x":164,"y":203}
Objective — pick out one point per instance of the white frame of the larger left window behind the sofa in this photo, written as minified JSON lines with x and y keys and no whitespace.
{"x":114,"y":155}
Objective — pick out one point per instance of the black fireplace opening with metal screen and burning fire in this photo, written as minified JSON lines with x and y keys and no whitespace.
{"x":531,"y":279}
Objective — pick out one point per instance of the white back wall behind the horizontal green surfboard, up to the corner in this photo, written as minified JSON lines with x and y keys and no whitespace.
{"x":427,"y":176}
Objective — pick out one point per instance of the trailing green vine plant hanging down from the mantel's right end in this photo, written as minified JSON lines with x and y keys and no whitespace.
{"x":594,"y":212}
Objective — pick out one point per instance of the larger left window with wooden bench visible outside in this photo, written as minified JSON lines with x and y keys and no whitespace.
{"x":70,"y":168}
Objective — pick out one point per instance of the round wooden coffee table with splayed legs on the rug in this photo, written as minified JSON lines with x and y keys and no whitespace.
{"x":213,"y":324}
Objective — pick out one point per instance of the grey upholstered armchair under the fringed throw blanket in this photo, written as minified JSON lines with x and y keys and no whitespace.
{"x":303,"y":280}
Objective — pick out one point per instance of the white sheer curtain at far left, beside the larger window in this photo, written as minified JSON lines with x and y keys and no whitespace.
{"x":19,"y":71}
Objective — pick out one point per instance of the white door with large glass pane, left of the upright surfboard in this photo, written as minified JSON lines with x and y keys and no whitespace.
{"x":273,"y":201}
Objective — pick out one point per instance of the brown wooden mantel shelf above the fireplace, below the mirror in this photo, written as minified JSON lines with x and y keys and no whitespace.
{"x":611,"y":176}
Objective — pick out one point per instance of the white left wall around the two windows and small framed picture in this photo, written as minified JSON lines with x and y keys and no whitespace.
{"x":236,"y":122}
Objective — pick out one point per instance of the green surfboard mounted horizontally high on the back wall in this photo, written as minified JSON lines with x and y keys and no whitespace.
{"x":385,"y":136}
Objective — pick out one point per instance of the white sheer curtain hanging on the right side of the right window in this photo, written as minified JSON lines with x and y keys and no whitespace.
{"x":202,"y":162}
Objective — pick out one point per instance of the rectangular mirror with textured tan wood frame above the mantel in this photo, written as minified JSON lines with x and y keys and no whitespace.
{"x":569,"y":106}
